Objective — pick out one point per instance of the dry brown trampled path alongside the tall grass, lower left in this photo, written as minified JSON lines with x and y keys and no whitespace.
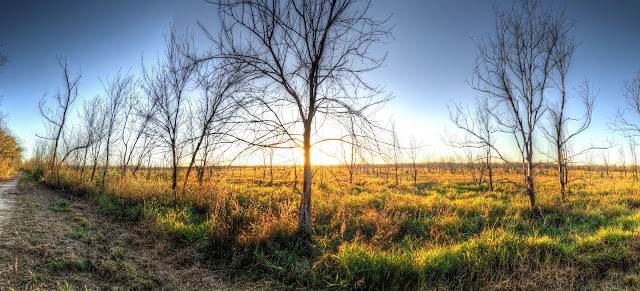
{"x":53,"y":241}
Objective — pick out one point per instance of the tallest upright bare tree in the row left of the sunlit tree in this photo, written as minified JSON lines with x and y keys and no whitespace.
{"x":166,"y":86}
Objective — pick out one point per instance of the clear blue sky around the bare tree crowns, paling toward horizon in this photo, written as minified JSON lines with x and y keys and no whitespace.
{"x":428,"y":62}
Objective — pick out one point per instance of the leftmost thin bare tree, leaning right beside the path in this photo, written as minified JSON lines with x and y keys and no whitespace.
{"x":56,"y":118}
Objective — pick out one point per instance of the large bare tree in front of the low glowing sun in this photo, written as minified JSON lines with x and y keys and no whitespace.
{"x":310,"y":57}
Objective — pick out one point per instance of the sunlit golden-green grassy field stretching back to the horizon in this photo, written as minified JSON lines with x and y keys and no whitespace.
{"x":443,"y":231}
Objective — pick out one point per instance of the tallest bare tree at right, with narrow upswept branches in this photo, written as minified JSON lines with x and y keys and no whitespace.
{"x":514,"y":68}
